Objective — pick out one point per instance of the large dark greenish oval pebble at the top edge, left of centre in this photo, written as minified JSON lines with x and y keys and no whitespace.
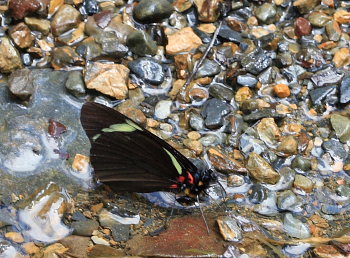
{"x":149,"y":11}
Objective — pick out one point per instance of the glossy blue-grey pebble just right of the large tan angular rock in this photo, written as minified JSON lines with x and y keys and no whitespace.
{"x":149,"y":69}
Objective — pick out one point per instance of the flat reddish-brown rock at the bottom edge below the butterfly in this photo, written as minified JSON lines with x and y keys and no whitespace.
{"x":185,"y":236}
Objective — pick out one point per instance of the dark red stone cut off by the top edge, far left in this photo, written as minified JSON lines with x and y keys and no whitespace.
{"x":21,"y":8}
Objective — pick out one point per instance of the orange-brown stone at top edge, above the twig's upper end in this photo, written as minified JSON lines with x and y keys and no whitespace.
{"x":208,"y":10}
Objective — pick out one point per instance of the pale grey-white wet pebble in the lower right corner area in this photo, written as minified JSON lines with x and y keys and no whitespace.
{"x":295,"y":228}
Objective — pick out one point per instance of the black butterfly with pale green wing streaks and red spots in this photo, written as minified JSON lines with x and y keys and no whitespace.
{"x":129,"y":158}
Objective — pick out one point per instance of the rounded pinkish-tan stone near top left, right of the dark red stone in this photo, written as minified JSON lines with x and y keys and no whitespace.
{"x":66,"y":18}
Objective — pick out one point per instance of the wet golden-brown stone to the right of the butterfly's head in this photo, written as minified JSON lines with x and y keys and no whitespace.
{"x":261,"y":170}
